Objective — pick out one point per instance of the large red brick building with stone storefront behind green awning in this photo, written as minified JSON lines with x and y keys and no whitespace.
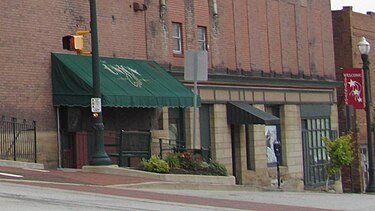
{"x":271,"y":73}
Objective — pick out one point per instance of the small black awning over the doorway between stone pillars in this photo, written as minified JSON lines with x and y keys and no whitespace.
{"x":243,"y":113}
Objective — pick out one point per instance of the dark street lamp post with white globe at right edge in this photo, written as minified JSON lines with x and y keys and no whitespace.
{"x":364,"y":49}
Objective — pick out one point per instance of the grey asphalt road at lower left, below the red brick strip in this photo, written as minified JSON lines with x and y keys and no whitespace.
{"x":33,"y":198}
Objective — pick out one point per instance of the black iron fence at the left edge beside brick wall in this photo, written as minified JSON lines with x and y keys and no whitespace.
{"x":17,"y":140}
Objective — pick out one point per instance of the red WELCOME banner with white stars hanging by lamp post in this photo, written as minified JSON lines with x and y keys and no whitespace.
{"x":353,"y":87}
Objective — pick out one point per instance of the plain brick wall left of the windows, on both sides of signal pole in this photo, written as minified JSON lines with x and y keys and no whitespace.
{"x":30,"y":32}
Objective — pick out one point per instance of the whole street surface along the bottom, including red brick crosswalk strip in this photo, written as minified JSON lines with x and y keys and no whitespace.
{"x":30,"y":189}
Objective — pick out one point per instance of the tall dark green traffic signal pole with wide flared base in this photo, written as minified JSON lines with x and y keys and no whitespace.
{"x":99,"y":157}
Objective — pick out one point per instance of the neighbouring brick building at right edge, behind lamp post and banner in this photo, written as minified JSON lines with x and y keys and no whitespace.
{"x":349,"y":27}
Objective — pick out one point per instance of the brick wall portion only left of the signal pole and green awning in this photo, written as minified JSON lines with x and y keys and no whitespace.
{"x":29,"y":33}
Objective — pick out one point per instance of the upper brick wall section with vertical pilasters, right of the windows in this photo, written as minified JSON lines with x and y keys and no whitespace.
{"x":276,"y":36}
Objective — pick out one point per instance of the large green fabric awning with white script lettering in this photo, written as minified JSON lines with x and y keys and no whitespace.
{"x":124,"y":83}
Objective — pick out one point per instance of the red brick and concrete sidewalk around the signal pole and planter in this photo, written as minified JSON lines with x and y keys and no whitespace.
{"x":120,"y":177}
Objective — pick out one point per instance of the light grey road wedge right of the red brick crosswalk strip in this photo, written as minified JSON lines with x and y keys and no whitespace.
{"x":313,"y":200}
